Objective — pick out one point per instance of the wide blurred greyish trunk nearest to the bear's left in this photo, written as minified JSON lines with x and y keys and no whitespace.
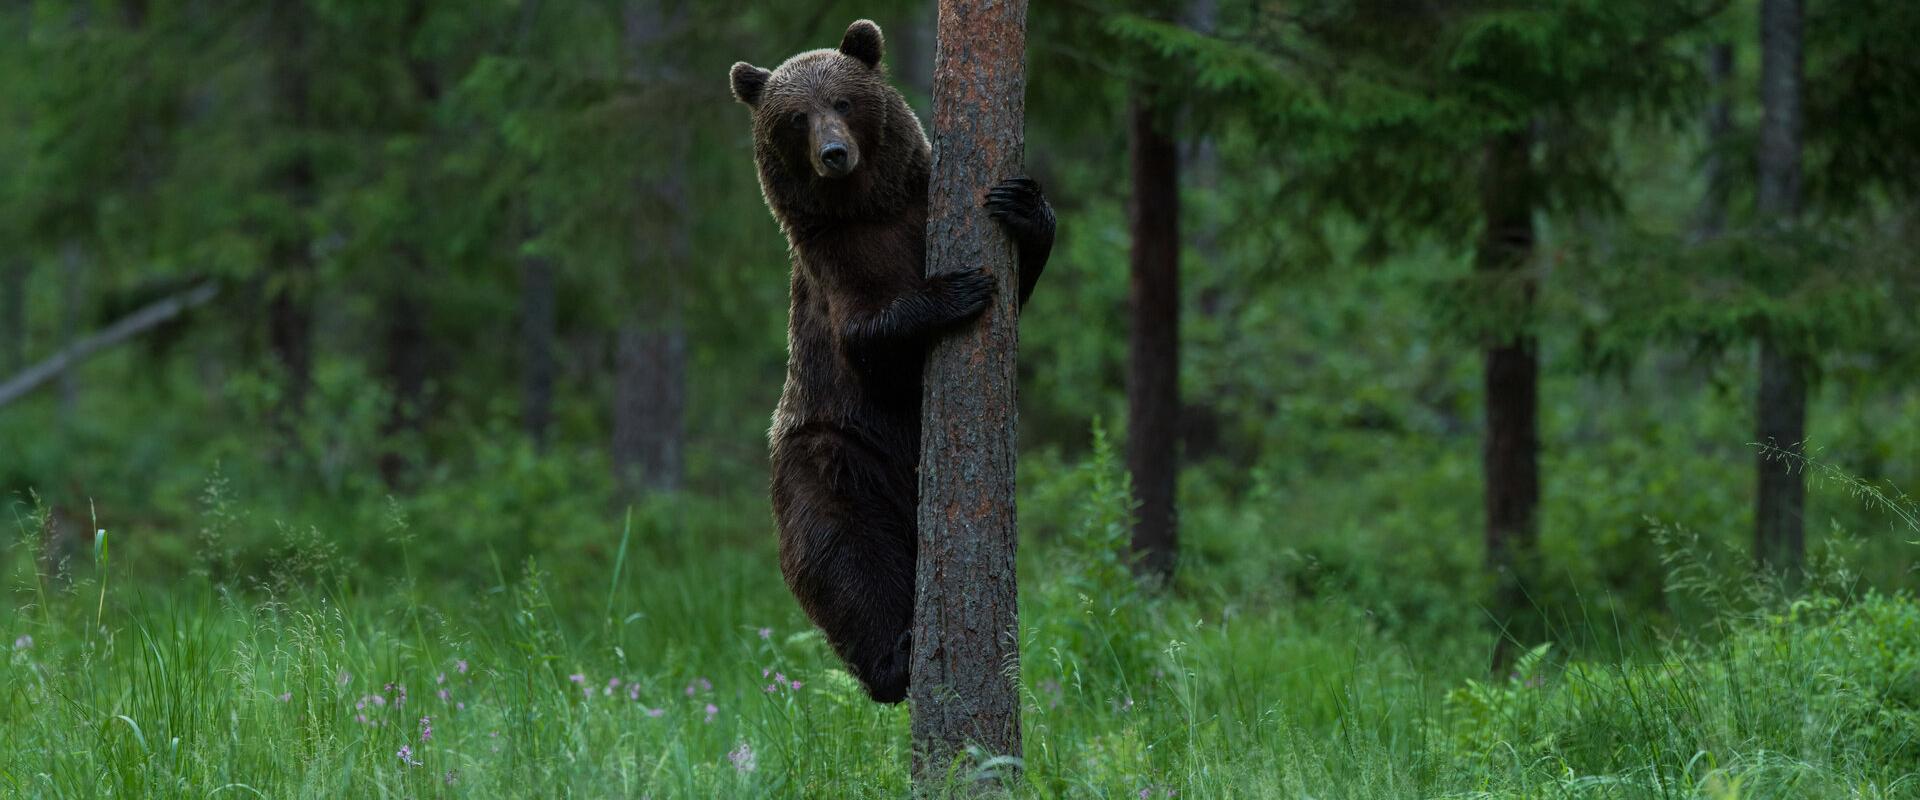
{"x":652,"y":344}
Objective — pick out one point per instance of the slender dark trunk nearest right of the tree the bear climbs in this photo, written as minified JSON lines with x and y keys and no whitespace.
{"x":1155,"y":341}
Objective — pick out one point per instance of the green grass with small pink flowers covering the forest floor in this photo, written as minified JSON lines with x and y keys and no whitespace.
{"x":291,"y":684}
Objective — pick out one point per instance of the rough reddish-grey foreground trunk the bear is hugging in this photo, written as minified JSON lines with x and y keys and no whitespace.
{"x":967,"y":628}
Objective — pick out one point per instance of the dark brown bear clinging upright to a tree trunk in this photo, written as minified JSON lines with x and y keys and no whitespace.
{"x":844,"y":168}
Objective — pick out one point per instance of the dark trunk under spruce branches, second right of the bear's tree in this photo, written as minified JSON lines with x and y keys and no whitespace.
{"x":1512,"y":381}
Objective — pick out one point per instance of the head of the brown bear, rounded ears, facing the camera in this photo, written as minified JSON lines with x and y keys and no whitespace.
{"x":827,"y":120}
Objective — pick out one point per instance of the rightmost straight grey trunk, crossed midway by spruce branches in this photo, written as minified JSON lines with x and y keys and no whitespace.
{"x":1779,"y":534}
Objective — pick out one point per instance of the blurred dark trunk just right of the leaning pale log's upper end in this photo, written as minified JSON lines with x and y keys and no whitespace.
{"x":291,"y":273}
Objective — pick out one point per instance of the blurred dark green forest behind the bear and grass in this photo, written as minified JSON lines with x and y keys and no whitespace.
{"x":1472,"y":325}
